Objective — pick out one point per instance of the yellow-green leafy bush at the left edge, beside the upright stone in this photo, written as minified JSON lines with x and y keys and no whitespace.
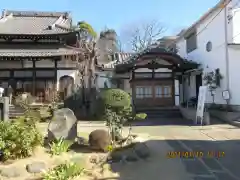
{"x":18,"y":139}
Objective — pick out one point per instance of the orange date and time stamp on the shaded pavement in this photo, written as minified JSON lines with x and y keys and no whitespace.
{"x":195,"y":154}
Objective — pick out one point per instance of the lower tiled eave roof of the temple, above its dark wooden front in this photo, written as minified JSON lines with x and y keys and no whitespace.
{"x":35,"y":51}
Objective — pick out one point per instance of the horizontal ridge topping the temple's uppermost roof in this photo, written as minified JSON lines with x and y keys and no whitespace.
{"x":35,"y":13}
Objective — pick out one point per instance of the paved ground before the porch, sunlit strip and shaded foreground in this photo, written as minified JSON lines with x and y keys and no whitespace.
{"x":219,"y":144}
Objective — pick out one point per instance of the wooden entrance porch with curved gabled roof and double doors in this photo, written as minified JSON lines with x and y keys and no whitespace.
{"x":155,"y":76}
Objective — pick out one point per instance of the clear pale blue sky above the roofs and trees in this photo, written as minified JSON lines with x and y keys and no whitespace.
{"x":119,"y":15}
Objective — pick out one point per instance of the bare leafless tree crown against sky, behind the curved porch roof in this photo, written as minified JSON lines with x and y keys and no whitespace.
{"x":143,"y":34}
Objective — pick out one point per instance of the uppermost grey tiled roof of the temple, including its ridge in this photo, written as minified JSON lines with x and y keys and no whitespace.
{"x":30,"y":22}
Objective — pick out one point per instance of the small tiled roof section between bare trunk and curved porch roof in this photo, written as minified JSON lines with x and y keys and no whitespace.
{"x":119,"y":58}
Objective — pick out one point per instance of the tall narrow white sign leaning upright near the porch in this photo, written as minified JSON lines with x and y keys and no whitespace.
{"x":201,"y":101}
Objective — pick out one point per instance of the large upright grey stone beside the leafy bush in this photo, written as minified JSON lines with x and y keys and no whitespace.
{"x":63,"y":125}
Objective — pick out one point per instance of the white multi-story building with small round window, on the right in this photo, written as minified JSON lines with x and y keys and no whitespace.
{"x":214,"y":42}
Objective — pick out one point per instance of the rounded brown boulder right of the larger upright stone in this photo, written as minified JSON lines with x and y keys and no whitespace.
{"x":99,"y":140}
